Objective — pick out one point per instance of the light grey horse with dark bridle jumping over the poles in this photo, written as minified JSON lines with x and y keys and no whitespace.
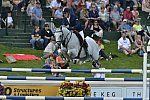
{"x":72,"y":48}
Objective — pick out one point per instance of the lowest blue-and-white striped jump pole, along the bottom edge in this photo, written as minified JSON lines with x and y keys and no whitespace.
{"x":64,"y":98}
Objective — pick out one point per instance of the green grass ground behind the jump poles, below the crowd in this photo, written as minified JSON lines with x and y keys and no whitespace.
{"x":122,"y":62}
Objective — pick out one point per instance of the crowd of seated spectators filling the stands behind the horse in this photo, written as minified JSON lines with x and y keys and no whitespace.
{"x":92,"y":16}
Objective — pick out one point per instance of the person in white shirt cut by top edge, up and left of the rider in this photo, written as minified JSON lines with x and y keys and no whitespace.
{"x":55,"y":4}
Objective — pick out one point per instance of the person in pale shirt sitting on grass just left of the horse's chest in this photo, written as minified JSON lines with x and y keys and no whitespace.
{"x":50,"y":49}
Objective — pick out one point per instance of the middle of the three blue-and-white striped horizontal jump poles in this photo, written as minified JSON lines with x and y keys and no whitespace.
{"x":68,"y":78}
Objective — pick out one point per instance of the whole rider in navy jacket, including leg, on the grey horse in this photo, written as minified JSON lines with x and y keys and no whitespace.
{"x":72,"y":23}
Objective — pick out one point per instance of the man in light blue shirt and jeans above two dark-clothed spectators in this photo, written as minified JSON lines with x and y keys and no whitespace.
{"x":36,"y":17}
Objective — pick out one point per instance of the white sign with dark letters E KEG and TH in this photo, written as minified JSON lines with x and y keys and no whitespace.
{"x":126,"y":92}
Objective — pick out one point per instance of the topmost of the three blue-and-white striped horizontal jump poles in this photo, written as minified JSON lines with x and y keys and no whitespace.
{"x":72,"y":70}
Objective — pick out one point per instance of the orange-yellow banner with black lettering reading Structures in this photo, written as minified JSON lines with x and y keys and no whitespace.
{"x":31,"y":90}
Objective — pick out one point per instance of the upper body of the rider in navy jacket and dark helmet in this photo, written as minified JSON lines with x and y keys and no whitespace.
{"x":71,"y":21}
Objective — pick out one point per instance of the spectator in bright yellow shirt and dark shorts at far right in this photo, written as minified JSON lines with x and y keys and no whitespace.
{"x":139,"y":30}
